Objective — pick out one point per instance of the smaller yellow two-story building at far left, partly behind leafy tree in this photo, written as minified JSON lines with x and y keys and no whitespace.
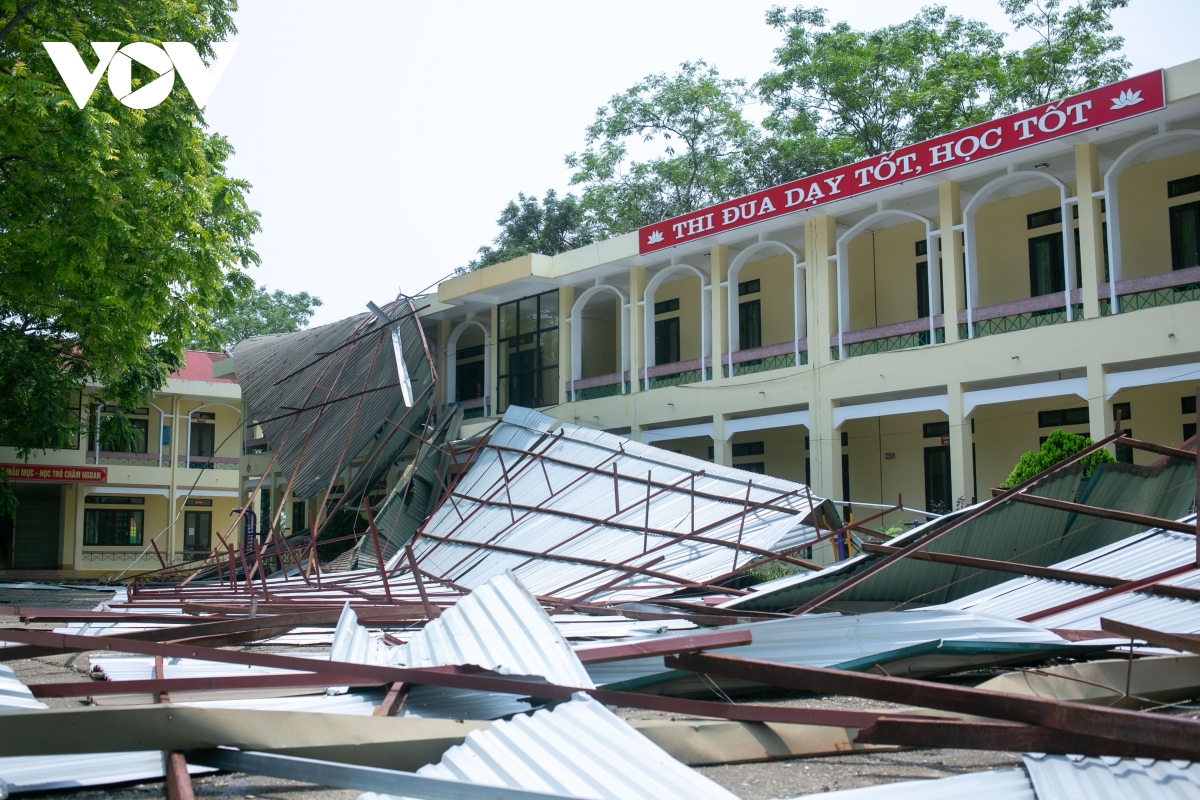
{"x":88,"y":513}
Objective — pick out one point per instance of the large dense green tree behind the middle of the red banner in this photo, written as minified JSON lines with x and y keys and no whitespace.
{"x":868,"y":93}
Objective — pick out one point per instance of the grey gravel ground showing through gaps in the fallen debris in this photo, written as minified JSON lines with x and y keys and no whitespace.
{"x":760,"y":781}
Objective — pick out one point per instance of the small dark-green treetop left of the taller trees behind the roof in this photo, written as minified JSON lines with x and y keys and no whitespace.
{"x":550,"y":227}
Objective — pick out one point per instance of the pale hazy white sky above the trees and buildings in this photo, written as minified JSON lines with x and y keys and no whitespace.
{"x":385,"y":139}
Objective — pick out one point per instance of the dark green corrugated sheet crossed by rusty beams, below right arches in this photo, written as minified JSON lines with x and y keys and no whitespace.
{"x":1015,"y":532}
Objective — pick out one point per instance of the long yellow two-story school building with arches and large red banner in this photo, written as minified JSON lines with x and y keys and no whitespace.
{"x":908,"y":326}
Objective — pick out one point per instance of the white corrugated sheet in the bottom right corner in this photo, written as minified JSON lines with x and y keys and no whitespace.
{"x":1075,"y":778}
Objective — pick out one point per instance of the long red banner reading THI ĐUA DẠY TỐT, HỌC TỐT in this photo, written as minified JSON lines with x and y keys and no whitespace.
{"x":1090,"y":110}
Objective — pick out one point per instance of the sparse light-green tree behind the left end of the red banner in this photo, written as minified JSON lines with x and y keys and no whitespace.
{"x":703,"y":149}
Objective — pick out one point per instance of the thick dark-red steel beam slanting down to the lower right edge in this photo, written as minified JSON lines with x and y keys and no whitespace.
{"x":1156,"y":731}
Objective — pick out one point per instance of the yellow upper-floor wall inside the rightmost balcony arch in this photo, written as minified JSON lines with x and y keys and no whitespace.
{"x":1145,"y":225}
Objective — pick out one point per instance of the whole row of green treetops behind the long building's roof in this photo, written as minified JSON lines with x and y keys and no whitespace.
{"x":674,"y":145}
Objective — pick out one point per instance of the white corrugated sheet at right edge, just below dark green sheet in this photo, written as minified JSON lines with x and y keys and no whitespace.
{"x":1138,"y":557}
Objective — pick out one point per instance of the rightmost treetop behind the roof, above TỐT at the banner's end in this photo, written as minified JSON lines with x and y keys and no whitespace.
{"x":1075,"y":50}
